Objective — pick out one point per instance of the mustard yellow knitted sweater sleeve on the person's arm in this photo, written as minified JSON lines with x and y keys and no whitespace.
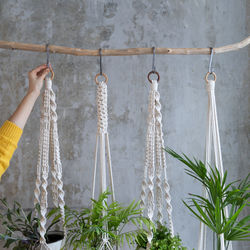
{"x":9,"y":137}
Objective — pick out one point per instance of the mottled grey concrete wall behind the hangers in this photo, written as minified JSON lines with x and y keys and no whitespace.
{"x":120,"y":24}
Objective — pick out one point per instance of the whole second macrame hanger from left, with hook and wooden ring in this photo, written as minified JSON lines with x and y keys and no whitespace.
{"x":102,"y":142}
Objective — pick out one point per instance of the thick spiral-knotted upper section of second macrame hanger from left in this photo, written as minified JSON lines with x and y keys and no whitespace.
{"x":102,"y":111}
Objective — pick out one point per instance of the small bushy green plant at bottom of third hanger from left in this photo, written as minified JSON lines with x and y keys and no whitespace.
{"x":162,"y":239}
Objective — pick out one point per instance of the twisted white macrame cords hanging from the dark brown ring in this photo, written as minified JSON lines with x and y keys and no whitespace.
{"x":155,"y":165}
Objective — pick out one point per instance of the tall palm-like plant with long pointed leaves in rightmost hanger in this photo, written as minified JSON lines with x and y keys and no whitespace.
{"x":210,"y":209}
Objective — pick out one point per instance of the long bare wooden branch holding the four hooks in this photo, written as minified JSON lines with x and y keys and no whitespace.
{"x":122,"y":52}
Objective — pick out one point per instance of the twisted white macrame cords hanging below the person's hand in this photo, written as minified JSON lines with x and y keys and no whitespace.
{"x":48,"y":149}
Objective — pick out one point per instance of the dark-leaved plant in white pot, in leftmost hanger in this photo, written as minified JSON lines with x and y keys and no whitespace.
{"x":22,"y":228}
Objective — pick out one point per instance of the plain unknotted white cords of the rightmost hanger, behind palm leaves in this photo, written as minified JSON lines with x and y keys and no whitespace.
{"x":212,"y":134}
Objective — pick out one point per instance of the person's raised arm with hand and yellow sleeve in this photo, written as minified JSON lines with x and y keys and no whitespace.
{"x":11,"y":131}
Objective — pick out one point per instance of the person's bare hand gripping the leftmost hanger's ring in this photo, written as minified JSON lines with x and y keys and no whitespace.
{"x":36,"y":78}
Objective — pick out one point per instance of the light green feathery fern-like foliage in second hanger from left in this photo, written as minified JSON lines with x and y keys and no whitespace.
{"x":86,"y":227}
